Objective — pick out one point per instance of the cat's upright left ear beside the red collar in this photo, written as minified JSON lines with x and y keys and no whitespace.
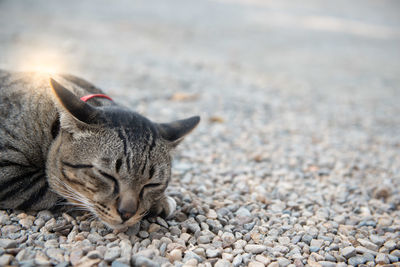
{"x":79,"y":109}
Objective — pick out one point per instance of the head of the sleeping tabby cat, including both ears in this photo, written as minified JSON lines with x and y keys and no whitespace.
{"x":111,"y":161}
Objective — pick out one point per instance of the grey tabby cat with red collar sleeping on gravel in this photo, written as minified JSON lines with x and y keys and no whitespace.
{"x":62,"y":139}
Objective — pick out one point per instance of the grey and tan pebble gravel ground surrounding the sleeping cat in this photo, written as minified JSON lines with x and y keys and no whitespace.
{"x":296,"y":161}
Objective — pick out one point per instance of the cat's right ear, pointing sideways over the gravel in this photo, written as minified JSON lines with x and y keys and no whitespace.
{"x":175,"y":131}
